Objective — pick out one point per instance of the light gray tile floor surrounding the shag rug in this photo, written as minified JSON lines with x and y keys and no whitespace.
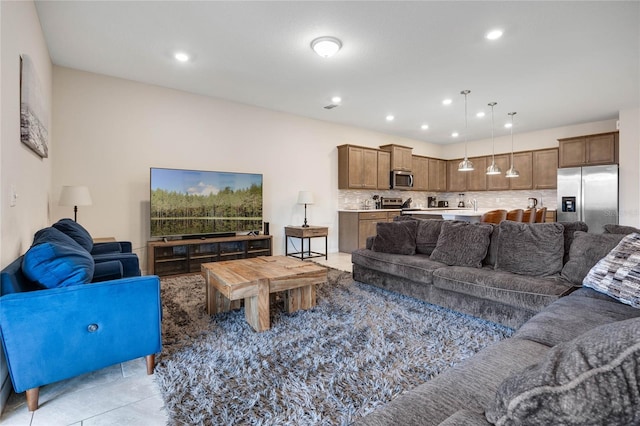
{"x":122,"y":394}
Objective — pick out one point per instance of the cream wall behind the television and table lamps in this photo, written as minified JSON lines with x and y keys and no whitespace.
{"x":110,"y":131}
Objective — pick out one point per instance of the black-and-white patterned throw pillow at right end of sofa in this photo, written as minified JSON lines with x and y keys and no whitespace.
{"x":618,"y":273}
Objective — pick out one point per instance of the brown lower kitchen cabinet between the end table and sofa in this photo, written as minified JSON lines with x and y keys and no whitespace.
{"x":354,"y":227}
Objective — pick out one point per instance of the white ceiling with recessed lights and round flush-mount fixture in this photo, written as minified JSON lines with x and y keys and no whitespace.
{"x":557,"y":64}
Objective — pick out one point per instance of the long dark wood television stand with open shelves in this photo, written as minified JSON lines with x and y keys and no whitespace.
{"x":185,"y":256}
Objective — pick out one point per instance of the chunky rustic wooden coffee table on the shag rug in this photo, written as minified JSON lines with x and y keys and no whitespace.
{"x":254,"y":279}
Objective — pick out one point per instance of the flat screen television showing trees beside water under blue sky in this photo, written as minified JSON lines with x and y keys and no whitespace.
{"x":193,"y":203}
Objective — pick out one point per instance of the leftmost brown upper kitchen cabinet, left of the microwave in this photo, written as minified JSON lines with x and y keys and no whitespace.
{"x":357,"y":167}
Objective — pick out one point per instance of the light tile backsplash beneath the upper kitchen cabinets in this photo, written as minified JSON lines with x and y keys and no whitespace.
{"x":355,"y":199}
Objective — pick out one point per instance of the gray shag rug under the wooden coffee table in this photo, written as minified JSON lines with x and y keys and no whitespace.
{"x":357,"y":349}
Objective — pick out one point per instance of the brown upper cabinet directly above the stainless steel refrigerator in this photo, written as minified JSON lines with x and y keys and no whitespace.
{"x":589,"y":150}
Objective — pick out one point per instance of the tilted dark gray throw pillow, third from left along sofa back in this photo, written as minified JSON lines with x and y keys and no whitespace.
{"x":462,"y":244}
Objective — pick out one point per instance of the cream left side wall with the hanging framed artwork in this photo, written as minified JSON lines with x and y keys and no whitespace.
{"x":20,"y":33}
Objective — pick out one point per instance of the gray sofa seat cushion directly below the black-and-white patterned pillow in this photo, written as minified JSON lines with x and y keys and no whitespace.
{"x":573,"y":315}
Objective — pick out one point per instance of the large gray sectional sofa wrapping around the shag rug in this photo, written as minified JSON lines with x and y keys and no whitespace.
{"x":575,"y":357}
